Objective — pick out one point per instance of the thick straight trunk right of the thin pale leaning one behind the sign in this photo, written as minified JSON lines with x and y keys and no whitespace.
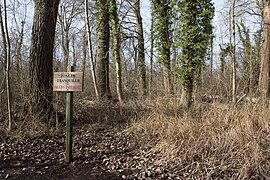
{"x":102,"y":55}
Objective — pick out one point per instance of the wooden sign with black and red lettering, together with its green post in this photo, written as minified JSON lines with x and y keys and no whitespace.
{"x":68,"y":82}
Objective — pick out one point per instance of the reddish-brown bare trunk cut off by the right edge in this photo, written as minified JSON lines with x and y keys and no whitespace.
{"x":264,"y":75}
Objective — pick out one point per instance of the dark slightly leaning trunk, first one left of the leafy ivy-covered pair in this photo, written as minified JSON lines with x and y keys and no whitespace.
{"x":141,"y":55}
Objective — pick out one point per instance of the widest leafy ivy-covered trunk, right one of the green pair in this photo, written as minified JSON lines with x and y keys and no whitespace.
{"x":194,"y":37}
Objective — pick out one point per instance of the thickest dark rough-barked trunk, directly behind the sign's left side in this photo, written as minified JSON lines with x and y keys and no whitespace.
{"x":41,"y":57}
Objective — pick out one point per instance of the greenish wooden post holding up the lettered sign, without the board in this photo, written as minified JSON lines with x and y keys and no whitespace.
{"x":69,"y":119}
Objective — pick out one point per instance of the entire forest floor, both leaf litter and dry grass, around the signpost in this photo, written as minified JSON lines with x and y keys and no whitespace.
{"x":139,"y":141}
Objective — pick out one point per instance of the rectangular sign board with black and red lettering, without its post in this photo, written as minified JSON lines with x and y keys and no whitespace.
{"x":68,"y":81}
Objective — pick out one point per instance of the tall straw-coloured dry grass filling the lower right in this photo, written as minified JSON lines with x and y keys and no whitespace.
{"x":208,"y":142}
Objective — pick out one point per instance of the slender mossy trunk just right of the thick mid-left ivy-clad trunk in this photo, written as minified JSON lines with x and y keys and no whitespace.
{"x":116,"y":48}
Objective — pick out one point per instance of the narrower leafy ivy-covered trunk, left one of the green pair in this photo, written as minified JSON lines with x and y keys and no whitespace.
{"x":161,"y":13}
